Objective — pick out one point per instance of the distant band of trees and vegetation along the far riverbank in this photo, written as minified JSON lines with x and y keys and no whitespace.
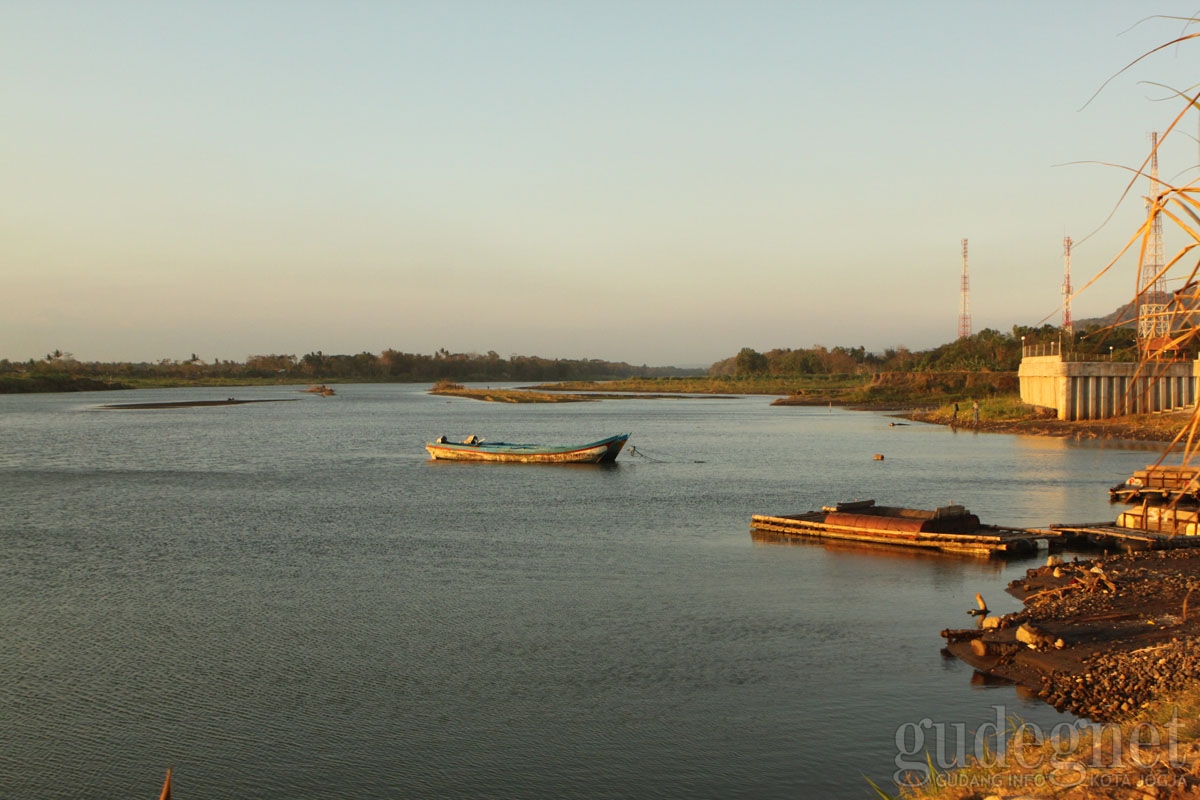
{"x":847,"y":375}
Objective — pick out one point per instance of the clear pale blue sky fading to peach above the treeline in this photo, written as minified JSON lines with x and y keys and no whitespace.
{"x":653,"y":182}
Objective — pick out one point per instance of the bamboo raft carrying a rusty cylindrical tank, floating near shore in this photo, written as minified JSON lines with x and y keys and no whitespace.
{"x":949,"y":530}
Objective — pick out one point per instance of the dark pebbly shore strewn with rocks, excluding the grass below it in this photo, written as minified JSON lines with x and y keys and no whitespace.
{"x":1099,"y":639}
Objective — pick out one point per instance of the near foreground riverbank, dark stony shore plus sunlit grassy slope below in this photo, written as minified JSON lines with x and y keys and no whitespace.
{"x":1112,"y":640}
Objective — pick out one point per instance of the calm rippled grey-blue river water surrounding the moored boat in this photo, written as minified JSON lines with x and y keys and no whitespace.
{"x":291,"y":600}
